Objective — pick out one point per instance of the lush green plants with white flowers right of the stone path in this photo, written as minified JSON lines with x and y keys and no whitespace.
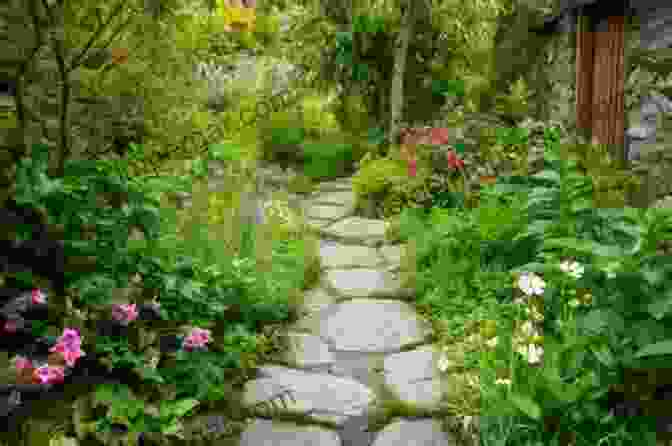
{"x":568,"y":303}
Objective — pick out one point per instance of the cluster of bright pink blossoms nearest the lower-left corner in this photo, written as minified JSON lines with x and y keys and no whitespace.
{"x":65,"y":353}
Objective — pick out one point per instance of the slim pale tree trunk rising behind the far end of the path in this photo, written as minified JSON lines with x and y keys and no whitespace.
{"x":400,"y":54}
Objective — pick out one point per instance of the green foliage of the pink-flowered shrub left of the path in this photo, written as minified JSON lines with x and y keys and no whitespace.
{"x":224,"y":293}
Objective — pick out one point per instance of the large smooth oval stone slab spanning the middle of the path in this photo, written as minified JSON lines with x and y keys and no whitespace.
{"x":365,"y":325}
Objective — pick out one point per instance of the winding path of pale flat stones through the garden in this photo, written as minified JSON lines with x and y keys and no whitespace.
{"x":359,"y":343}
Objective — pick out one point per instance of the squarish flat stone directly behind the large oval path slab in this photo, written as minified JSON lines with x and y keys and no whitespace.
{"x":364,"y":282}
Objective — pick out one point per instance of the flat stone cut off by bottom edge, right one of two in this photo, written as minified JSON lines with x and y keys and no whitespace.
{"x":423,"y":432}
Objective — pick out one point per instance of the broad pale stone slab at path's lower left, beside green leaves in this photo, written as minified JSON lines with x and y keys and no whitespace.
{"x":322,"y":397}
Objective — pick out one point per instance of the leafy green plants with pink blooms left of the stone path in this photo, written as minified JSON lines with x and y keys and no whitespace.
{"x":190,"y":327}
